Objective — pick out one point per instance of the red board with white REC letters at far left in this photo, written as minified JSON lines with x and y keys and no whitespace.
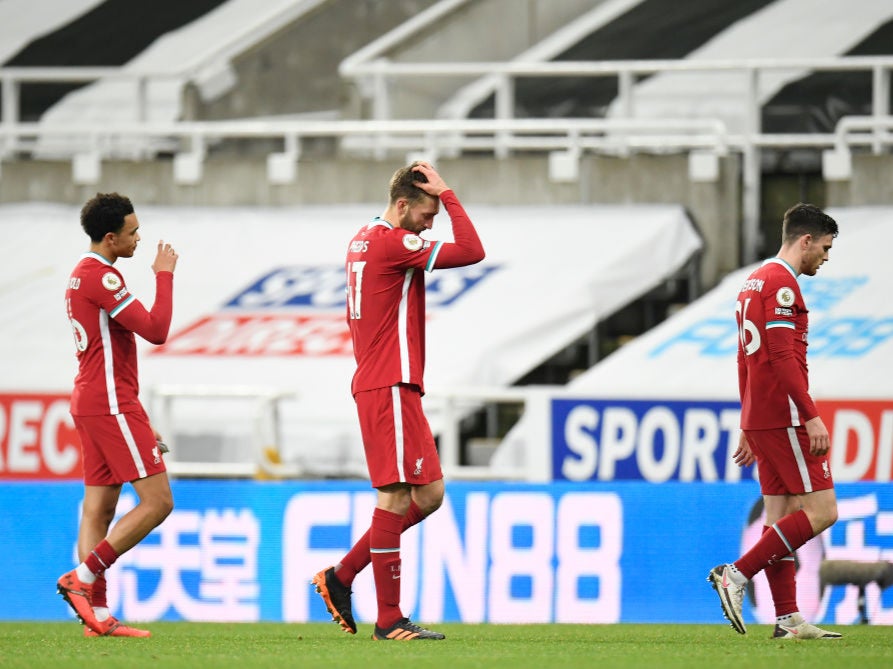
{"x":37,"y":437}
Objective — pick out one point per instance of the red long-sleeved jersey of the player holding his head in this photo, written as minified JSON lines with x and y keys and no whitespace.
{"x":386,"y":295}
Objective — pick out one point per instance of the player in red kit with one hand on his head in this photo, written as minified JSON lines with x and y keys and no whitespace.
{"x":386,"y":261}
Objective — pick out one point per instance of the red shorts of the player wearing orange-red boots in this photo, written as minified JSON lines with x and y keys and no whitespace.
{"x":118,"y":449}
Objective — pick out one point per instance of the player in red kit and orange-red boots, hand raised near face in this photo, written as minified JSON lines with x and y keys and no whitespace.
{"x":117,"y":441}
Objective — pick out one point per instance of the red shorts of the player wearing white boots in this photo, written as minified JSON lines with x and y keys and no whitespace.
{"x":784,"y":463}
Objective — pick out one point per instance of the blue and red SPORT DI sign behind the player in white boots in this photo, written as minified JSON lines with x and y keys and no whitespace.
{"x":657,"y":441}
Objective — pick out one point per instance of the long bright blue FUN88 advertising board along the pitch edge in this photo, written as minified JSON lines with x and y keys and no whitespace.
{"x":495,"y":552}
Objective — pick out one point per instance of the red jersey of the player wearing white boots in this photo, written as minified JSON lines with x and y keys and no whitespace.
{"x":772,"y":327}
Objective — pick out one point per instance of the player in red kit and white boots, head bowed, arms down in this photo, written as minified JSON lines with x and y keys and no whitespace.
{"x":780,"y":427}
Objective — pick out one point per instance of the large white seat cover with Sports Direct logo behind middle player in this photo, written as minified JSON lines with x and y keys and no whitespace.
{"x":259,"y":301}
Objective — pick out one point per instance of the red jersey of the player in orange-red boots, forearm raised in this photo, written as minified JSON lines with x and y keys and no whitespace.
{"x":104,"y":316}
